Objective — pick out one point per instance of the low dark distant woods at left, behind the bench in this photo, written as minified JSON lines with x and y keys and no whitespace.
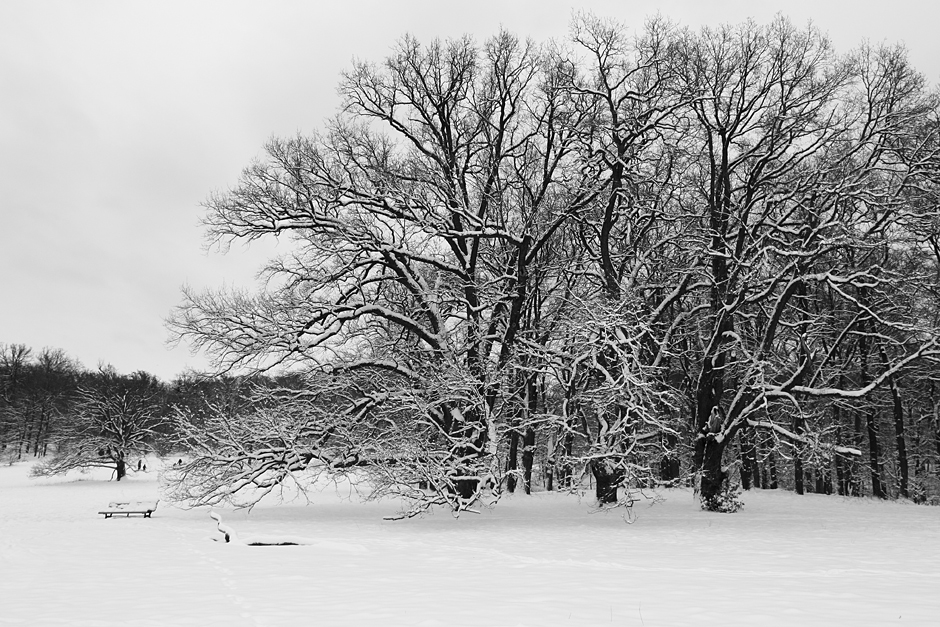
{"x":67,"y":417}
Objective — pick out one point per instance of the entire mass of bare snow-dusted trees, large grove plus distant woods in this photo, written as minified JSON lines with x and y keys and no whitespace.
{"x":624,"y":260}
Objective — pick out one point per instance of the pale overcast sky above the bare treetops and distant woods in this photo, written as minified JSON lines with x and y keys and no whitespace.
{"x":118,"y":118}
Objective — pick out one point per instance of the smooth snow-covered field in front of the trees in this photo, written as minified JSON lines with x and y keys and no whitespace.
{"x":546,"y":559}
